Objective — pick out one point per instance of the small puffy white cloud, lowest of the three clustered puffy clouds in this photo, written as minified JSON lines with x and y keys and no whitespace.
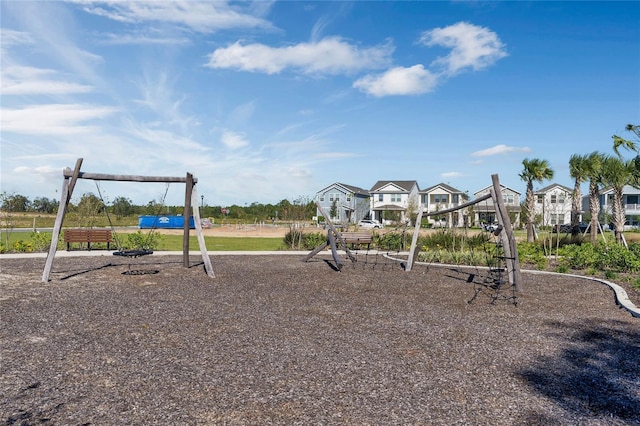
{"x":414,"y":80}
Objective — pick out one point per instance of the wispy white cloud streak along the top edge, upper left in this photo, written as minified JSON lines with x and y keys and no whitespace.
{"x":204,"y":17}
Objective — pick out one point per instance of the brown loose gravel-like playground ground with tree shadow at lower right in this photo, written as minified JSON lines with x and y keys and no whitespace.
{"x":273,"y":340}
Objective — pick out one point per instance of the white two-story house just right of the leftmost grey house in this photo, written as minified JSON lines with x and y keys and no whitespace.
{"x":394,"y":200}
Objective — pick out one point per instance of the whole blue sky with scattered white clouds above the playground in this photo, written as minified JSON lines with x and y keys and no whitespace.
{"x":264,"y":101}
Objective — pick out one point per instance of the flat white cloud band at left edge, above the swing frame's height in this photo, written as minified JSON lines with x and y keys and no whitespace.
{"x":58,"y":119}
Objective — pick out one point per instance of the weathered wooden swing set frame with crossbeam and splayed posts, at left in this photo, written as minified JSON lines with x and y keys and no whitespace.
{"x":190,"y":207}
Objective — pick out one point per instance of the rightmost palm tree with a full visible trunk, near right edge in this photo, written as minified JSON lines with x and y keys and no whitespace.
{"x":617,"y":173}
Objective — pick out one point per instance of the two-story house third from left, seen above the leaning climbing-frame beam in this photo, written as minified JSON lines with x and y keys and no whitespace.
{"x":442,"y":197}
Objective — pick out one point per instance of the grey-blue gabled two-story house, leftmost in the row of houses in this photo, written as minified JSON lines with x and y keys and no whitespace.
{"x":344,"y":203}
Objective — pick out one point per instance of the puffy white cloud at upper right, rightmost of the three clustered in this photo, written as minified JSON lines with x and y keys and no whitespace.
{"x":471,"y":46}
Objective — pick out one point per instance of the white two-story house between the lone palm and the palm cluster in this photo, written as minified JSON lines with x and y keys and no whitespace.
{"x":553,"y":205}
